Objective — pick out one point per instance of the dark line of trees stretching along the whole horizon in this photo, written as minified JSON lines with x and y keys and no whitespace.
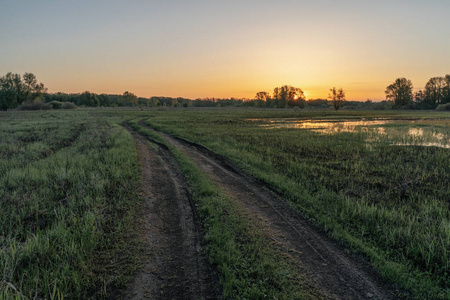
{"x":25,"y":92}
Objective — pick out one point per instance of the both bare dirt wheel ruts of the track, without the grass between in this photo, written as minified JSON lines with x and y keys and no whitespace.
{"x":176,"y":266}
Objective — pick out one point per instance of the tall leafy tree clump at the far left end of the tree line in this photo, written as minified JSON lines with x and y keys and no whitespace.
{"x":14,"y":91}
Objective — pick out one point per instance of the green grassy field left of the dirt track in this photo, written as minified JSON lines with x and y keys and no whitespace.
{"x":68,"y":183}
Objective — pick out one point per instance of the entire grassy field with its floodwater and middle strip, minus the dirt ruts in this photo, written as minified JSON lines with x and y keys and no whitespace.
{"x":375,"y":182}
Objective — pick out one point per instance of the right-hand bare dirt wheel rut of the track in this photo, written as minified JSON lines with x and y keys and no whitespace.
{"x":326,"y":264}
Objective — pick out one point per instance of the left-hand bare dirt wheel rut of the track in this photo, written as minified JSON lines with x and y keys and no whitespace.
{"x":176,"y":265}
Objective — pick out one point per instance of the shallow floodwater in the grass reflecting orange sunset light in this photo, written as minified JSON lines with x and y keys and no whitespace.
{"x":425,"y":133}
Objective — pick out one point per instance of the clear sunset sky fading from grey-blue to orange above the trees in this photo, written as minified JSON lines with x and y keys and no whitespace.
{"x":196,"y":49}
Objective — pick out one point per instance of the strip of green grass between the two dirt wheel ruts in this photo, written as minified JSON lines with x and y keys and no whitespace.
{"x":248,"y":266}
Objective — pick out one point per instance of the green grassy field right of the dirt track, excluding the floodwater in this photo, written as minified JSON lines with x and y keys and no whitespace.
{"x":388,"y":202}
